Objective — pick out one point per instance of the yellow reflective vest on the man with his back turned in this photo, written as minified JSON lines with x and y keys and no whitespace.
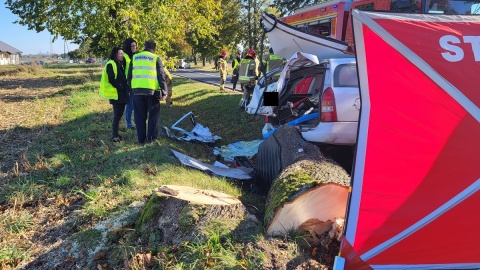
{"x":144,"y":71}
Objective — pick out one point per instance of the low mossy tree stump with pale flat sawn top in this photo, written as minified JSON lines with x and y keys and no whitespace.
{"x":175,"y":214}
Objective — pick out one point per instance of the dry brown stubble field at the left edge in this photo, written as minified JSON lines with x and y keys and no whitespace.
{"x":31,"y":99}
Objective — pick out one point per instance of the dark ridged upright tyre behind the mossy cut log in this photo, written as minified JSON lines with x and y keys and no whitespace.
{"x":267,"y":164}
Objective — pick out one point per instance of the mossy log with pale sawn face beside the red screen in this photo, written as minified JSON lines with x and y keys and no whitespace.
{"x":306,"y":191}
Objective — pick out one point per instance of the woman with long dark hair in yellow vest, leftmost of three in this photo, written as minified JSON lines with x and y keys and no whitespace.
{"x":113,"y":86}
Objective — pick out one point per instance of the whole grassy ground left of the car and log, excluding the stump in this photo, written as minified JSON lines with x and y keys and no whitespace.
{"x":62,"y":179}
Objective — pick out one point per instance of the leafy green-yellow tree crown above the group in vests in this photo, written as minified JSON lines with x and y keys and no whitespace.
{"x":108,"y":23}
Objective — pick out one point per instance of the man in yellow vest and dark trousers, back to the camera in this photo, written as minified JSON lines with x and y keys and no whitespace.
{"x":148,"y":87}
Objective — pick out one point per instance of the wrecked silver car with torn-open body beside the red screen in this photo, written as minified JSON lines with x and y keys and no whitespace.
{"x":320,"y":98}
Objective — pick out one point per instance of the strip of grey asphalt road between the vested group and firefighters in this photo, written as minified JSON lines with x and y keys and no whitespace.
{"x":206,"y":76}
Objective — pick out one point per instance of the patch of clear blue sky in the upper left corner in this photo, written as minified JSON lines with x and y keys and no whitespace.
{"x":28,"y":41}
